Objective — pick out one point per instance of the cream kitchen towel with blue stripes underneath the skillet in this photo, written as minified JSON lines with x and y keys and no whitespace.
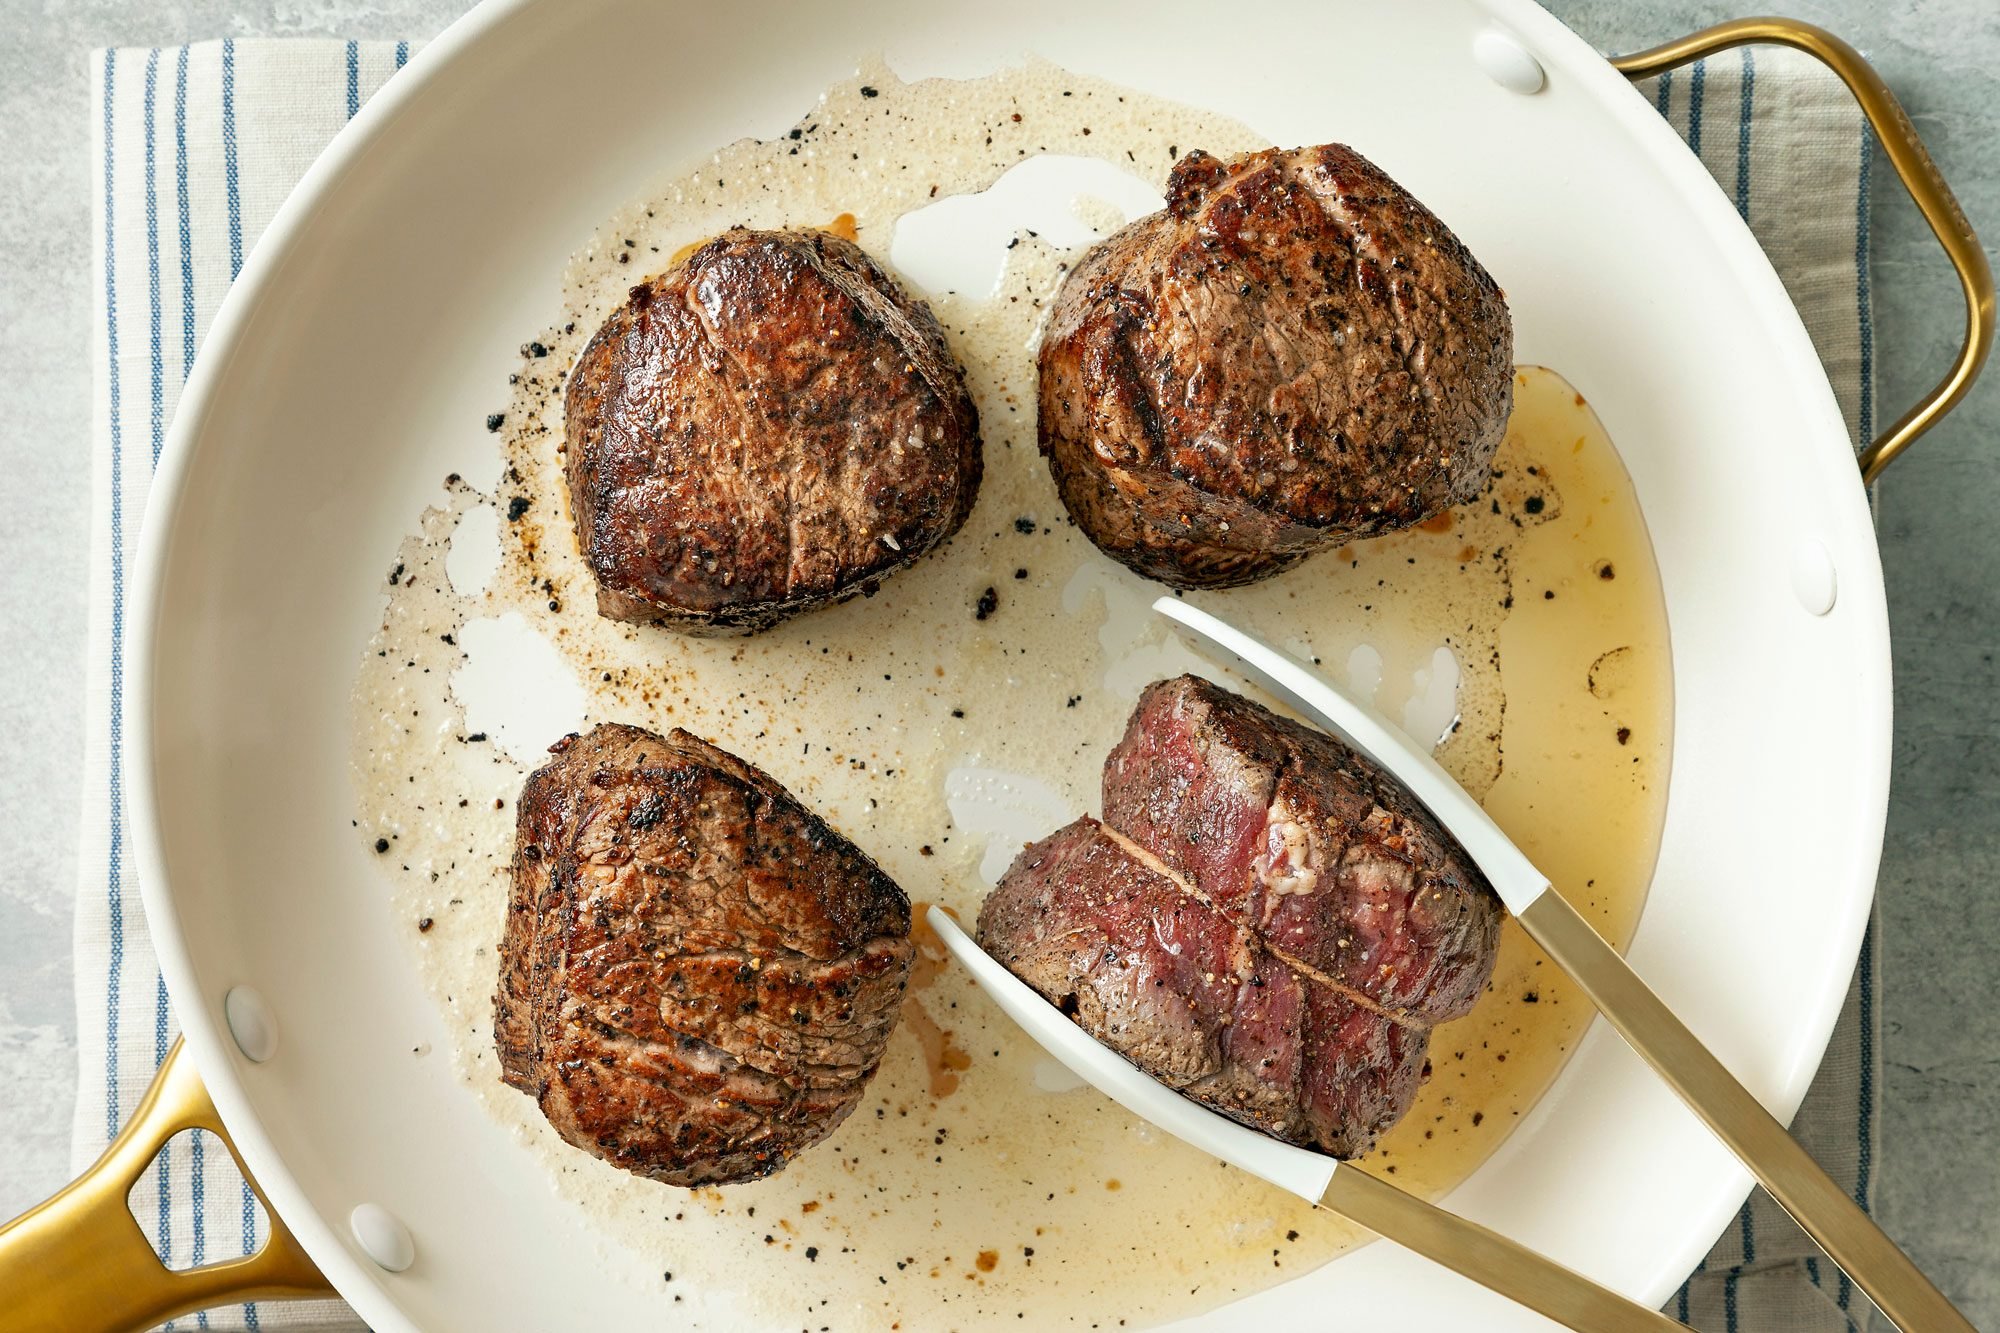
{"x":195,"y":151}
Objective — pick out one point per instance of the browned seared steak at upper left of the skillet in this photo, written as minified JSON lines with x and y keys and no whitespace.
{"x":769,"y":427}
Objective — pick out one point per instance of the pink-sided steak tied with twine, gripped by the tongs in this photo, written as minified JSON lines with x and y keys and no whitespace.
{"x":1265,"y":922}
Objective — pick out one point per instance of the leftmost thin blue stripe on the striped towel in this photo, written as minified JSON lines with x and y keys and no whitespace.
{"x":113,"y":888}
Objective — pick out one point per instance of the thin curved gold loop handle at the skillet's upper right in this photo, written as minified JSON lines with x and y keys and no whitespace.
{"x":1913,"y":167}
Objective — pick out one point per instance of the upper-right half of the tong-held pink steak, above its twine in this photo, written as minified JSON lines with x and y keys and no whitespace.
{"x":1305,"y":844}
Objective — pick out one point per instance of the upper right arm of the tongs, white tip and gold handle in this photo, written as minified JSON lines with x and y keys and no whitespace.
{"x":1821,"y":1208}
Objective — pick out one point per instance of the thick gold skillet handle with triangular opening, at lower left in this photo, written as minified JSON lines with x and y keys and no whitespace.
{"x":79,"y":1264}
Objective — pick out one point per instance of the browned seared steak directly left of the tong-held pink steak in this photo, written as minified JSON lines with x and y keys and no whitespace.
{"x":699,"y":978}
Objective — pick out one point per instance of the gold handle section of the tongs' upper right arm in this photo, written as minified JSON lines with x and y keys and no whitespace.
{"x":1759,"y":1142}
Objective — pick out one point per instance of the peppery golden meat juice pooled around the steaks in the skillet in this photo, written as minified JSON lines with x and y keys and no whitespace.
{"x":965,"y":710}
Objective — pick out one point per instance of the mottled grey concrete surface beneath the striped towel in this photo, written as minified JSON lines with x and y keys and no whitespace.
{"x":1939,"y":1162}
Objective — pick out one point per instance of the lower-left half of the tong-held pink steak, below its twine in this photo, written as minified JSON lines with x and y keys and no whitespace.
{"x":1159,"y":976}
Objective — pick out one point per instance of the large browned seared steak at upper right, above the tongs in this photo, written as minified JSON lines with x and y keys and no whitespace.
{"x":1291,"y":355}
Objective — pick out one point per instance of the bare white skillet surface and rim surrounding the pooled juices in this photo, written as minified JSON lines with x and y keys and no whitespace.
{"x":357,"y":355}
